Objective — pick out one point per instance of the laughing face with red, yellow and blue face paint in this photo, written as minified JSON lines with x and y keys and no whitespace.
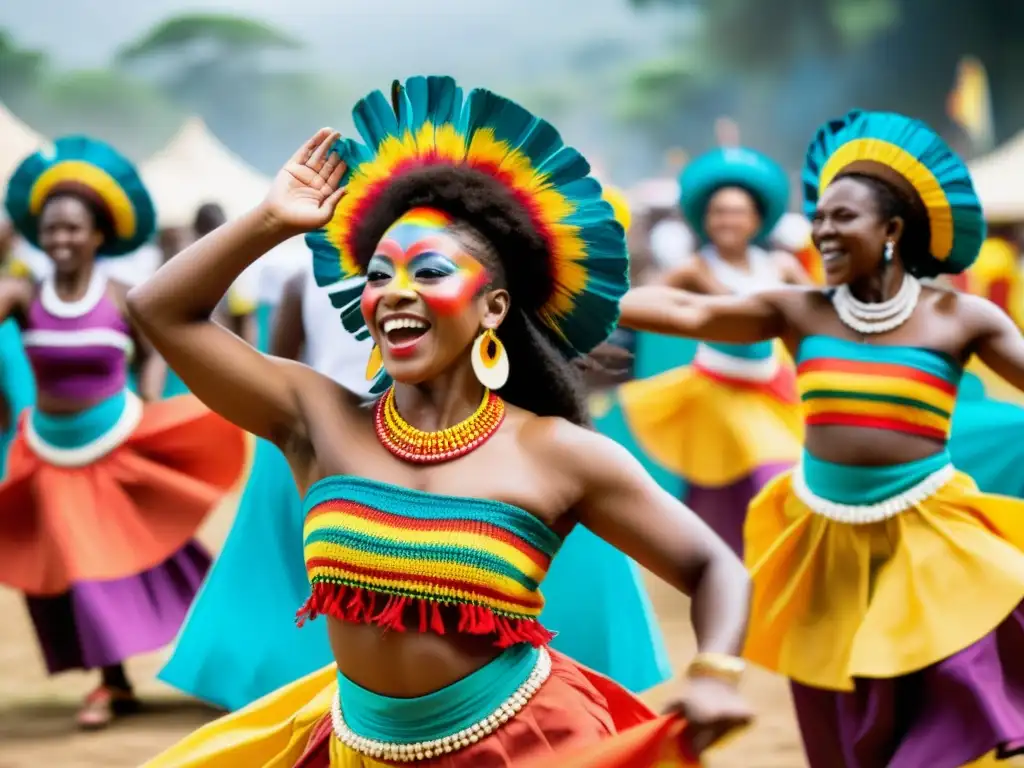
{"x":425,"y":298}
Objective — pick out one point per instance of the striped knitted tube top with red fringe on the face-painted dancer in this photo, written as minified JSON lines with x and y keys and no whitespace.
{"x":382,"y":554}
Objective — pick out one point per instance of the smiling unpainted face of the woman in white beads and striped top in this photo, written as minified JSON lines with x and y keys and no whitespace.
{"x":850,"y":231}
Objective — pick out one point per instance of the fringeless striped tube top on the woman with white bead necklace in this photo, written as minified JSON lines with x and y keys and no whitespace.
{"x":900,"y":389}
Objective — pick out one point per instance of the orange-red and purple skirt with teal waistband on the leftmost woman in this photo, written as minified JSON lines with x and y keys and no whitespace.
{"x":101,"y":509}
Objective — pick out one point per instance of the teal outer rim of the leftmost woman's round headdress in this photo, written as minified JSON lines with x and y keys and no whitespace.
{"x":101,"y":156}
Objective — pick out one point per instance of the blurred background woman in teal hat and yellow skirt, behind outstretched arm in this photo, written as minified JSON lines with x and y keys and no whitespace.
{"x":739,"y":399}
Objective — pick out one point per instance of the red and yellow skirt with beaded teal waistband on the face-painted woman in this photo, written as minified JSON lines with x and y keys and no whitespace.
{"x":527,"y":705}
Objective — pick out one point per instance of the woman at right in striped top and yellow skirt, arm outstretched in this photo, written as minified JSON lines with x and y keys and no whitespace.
{"x":885,"y":585}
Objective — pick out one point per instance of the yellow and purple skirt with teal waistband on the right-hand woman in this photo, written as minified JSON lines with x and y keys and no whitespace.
{"x":891,"y":596}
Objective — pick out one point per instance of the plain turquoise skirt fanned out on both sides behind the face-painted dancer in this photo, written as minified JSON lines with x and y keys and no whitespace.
{"x":231,"y":660}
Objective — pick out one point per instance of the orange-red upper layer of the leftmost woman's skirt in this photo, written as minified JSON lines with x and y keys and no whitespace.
{"x":124,"y":514}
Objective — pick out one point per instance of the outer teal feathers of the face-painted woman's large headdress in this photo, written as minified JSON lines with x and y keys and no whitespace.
{"x":440,"y":101}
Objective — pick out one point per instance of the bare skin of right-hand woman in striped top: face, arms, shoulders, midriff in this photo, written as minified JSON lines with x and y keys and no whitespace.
{"x":851,"y":234}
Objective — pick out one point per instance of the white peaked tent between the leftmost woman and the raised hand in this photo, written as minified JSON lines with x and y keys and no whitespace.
{"x":196,"y":168}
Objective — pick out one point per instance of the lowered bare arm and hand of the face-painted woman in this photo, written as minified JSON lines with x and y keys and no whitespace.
{"x":621,"y":503}
